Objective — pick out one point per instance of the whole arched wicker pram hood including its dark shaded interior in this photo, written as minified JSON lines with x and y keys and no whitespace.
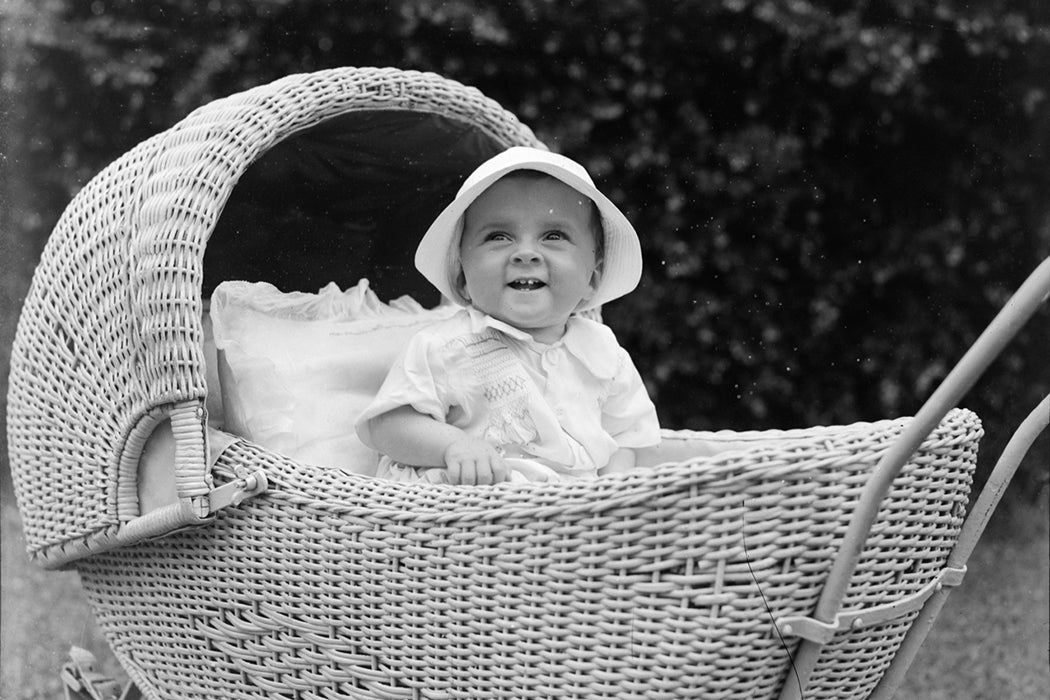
{"x":110,"y":341}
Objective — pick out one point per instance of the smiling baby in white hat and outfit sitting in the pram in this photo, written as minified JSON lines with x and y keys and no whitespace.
{"x":518,"y":386}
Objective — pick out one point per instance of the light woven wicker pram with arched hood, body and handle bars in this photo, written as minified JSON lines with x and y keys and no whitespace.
{"x":760,"y":565}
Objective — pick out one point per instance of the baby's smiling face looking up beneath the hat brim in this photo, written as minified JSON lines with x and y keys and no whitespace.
{"x":529,"y":253}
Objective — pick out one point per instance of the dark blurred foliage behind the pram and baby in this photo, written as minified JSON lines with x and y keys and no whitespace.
{"x":834,"y":197}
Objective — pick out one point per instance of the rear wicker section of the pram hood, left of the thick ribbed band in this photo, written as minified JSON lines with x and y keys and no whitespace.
{"x":70,"y":395}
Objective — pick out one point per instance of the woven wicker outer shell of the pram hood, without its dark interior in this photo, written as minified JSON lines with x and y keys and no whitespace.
{"x":111,"y":332}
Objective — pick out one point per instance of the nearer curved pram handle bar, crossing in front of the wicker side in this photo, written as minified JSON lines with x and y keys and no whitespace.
{"x":1022,"y":306}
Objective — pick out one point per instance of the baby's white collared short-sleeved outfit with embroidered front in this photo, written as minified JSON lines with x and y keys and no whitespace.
{"x":558,"y":411}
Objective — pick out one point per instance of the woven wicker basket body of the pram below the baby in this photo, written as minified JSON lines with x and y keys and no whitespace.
{"x":659,"y":584}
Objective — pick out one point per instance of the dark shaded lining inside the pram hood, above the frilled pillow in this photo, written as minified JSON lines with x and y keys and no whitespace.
{"x":346,"y":199}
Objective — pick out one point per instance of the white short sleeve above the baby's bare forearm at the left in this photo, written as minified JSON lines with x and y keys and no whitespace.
{"x":417,"y":379}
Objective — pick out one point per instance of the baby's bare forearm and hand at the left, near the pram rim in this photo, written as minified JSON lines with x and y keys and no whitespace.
{"x":411,"y":438}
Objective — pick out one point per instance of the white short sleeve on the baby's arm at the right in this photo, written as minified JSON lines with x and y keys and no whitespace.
{"x":628,"y":414}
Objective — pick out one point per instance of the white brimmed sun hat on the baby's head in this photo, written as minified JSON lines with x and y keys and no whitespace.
{"x":437,"y":257}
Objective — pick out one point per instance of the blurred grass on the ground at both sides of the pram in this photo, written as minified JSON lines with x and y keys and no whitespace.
{"x":992,"y":641}
